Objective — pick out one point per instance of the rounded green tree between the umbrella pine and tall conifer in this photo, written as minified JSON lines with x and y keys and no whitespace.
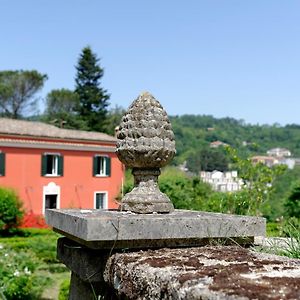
{"x":61,"y":106}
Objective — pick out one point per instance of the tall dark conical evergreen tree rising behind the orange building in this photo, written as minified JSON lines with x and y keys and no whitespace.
{"x":93,"y":100}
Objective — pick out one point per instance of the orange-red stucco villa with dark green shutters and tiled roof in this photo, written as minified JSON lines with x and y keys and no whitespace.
{"x":51,"y":167}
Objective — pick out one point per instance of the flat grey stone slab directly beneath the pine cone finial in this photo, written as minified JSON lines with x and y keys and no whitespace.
{"x":100,"y":229}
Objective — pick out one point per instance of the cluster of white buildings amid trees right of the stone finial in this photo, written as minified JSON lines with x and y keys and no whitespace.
{"x":222,"y":181}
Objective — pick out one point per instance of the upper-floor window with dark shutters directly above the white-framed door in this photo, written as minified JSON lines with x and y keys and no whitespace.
{"x":52,"y":165}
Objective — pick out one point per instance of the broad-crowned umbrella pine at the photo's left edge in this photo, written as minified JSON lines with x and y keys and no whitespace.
{"x":17,"y":90}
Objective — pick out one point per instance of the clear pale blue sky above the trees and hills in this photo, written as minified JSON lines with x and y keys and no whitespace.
{"x":225,"y":58}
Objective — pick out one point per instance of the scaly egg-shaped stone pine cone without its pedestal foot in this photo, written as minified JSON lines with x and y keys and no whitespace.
{"x":145,"y":136}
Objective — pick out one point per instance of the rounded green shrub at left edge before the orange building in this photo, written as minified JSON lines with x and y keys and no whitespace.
{"x":11,"y":211}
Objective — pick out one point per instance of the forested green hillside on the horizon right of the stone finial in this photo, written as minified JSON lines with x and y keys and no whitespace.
{"x":195,"y":132}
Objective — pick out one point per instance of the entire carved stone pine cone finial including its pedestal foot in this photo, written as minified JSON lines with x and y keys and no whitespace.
{"x":145,"y":143}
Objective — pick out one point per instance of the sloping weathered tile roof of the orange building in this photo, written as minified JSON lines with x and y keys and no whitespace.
{"x":43,"y":130}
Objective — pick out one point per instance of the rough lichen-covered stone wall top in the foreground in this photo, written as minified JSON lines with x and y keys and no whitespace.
{"x":214,"y":273}
